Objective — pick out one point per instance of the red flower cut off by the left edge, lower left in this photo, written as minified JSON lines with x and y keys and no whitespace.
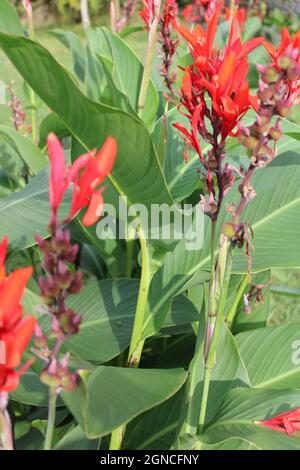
{"x":15,"y":331}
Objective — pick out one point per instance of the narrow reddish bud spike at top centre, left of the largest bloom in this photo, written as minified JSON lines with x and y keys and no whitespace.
{"x":168,"y":45}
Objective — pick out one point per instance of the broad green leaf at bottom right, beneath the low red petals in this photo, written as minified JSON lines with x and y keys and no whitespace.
{"x":241,"y":409}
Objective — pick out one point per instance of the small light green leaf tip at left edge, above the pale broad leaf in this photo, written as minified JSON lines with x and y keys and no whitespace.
{"x":28,"y":152}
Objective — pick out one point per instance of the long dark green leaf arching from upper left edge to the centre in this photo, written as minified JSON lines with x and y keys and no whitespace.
{"x":137,"y":172}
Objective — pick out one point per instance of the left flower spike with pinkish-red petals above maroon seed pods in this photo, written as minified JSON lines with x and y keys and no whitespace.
{"x":61,"y":278}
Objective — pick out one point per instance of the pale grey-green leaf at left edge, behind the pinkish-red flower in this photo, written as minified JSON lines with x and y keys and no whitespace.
{"x":27,"y":212}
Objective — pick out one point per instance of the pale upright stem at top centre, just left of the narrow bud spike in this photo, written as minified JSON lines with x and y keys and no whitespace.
{"x":148,"y":66}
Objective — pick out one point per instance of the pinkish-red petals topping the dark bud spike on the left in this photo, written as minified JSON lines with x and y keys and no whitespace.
{"x":86,"y":174}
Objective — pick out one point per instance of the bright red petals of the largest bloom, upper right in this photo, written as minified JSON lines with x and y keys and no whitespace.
{"x":221,"y":74}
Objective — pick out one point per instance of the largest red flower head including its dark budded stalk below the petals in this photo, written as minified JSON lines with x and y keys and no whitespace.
{"x":215,"y":91}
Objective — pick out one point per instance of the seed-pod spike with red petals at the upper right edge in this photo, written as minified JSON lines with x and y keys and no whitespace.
{"x":279,"y":89}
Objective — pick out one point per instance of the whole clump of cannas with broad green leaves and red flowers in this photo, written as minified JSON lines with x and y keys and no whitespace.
{"x":133,"y":340}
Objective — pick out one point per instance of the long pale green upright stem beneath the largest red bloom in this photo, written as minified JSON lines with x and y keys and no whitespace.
{"x":220,"y":286}
